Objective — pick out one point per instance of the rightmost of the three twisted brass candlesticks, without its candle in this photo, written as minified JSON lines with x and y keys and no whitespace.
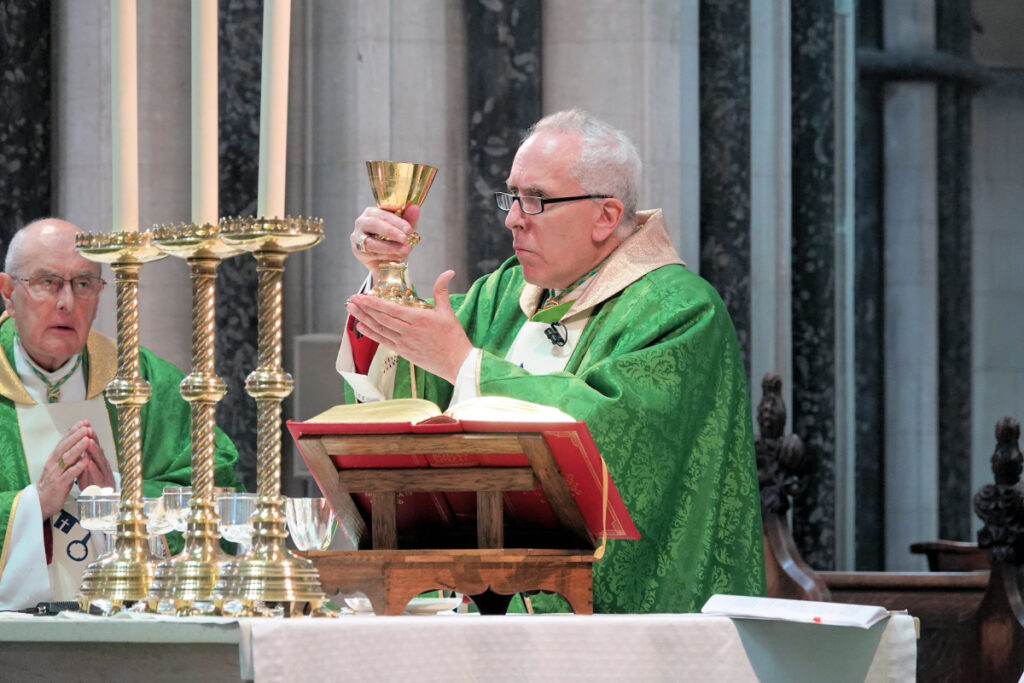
{"x":270,"y":573}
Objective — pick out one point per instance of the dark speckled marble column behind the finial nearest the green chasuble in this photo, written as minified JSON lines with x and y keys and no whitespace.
{"x":815,"y":363}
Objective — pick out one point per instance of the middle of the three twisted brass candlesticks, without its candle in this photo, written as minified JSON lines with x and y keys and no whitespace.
{"x":190,"y":578}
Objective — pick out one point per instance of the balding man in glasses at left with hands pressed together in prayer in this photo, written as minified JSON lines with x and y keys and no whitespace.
{"x":57,"y":431}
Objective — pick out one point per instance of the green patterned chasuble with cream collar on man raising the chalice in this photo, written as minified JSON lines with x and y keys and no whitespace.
{"x":659,"y":378}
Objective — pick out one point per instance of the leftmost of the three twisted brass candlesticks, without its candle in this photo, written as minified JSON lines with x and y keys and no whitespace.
{"x":125,"y":575}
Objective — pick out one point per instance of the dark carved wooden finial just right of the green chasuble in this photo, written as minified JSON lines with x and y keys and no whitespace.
{"x":781,"y":458}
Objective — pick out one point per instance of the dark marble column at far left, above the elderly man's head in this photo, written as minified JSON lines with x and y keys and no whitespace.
{"x":25,"y":113}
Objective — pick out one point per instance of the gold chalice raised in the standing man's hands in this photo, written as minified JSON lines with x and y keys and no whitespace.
{"x":397,"y":187}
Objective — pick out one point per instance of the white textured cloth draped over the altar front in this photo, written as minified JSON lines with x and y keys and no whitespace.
{"x":656,"y":648}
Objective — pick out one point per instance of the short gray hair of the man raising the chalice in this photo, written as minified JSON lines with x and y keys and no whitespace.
{"x":609,"y":161}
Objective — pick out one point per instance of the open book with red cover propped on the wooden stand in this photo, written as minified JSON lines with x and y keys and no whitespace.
{"x":572,"y":447}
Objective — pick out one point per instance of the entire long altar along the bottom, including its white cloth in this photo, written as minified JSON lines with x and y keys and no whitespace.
{"x":455,"y":648}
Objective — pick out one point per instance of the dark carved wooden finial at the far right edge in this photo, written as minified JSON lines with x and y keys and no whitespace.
{"x":1001,"y":505}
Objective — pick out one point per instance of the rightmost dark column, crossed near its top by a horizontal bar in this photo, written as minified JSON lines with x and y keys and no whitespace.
{"x":954,"y":193}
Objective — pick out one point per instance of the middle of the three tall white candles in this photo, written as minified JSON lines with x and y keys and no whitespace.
{"x":204,"y":115}
